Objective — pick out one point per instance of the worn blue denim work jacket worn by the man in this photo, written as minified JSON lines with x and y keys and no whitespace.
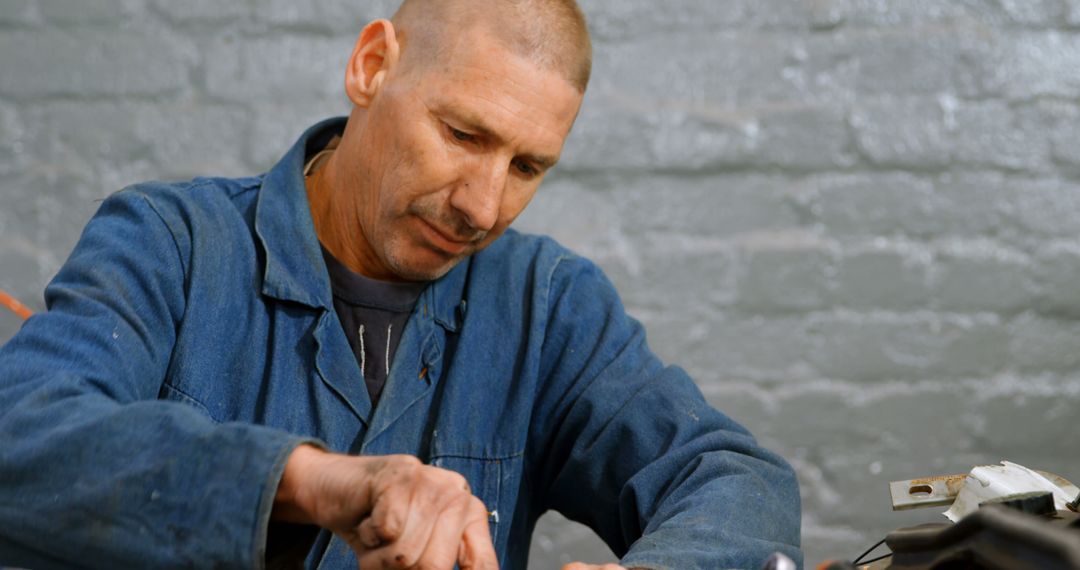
{"x":191,"y":344}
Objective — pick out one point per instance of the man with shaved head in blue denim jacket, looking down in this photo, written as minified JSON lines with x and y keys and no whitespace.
{"x":350,"y":359}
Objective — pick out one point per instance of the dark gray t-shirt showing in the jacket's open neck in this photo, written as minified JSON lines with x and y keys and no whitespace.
{"x":373,"y":315}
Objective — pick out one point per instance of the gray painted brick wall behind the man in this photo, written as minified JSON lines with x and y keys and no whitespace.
{"x":857,"y":223}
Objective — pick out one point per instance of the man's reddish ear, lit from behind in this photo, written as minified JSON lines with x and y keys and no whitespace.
{"x":376,"y":53}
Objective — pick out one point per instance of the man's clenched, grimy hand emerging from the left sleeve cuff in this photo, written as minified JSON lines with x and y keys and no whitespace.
{"x":393,"y":510}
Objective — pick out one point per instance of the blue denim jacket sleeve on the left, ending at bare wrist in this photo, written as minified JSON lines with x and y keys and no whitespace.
{"x":96,"y":472}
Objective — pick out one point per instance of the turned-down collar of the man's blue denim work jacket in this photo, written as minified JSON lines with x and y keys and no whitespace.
{"x":295,"y":270}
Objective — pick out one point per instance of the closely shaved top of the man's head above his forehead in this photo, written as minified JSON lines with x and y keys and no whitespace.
{"x":550,"y":33}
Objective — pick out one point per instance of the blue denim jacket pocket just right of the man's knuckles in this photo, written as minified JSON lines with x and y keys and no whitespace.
{"x":494,"y":481}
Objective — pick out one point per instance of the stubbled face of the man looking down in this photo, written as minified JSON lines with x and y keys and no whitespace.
{"x":452,"y":153}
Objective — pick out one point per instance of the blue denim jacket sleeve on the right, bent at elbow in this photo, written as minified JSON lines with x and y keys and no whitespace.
{"x":634,"y":452}
